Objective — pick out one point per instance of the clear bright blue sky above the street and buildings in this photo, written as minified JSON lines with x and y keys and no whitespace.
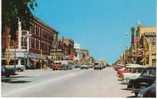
{"x":101,"y":26}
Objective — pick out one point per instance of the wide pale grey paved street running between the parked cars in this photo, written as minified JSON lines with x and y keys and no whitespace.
{"x":73,"y":83}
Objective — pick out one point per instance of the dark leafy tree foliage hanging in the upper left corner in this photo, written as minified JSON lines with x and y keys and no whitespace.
{"x":11,"y":9}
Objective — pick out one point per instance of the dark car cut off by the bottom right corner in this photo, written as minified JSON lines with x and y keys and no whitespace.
{"x":148,"y":92}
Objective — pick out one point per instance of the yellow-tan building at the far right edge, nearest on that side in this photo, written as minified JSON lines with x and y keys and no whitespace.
{"x":148,"y":45}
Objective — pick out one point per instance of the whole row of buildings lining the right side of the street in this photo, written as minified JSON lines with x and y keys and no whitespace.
{"x":143,"y":47}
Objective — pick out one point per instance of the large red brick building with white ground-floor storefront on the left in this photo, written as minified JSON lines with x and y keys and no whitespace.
{"x":31,"y":46}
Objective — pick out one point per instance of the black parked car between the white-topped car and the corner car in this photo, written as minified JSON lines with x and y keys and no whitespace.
{"x":146,"y":79}
